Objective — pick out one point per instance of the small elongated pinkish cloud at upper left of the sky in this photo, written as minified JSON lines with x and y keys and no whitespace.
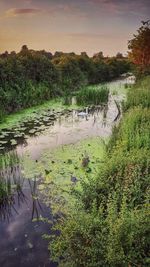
{"x":14,"y":12}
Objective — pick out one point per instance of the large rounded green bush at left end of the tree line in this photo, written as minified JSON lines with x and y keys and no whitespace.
{"x":26,"y":81}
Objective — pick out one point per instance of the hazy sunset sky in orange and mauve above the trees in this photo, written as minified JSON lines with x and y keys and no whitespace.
{"x":71,"y":25}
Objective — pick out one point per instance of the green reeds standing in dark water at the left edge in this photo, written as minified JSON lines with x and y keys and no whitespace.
{"x":10,"y":184}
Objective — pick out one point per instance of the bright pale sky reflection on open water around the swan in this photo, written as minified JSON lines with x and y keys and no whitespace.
{"x":71,"y":128}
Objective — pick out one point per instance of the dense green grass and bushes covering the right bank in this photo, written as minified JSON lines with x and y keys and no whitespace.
{"x":109,"y":224}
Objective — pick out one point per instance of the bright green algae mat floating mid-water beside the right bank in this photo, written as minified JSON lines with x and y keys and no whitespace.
{"x":64,"y":170}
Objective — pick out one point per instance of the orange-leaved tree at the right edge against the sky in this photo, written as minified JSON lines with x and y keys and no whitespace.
{"x":140,"y":47}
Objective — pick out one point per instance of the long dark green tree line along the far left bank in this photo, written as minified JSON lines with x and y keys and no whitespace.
{"x":30,"y":77}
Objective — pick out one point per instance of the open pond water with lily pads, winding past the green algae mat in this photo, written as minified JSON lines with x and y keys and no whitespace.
{"x":23,"y":208}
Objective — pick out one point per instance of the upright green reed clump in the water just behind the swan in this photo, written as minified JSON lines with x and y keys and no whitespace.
{"x":94,"y":95}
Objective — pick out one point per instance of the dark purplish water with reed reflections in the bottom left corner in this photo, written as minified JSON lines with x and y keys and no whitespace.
{"x":21,"y":237}
